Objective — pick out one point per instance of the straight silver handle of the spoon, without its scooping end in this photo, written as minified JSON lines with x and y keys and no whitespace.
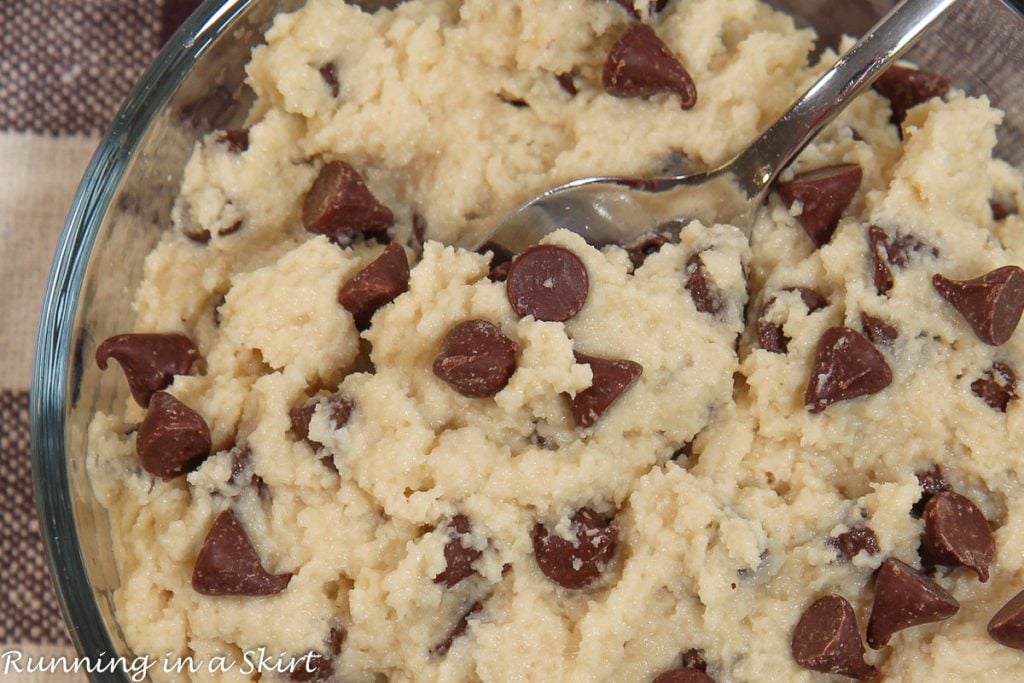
{"x":758,"y":166}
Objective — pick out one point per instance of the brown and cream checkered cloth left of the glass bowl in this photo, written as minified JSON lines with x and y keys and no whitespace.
{"x":65,"y":68}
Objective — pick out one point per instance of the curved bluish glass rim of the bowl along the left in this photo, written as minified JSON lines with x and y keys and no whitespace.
{"x":50,"y":401}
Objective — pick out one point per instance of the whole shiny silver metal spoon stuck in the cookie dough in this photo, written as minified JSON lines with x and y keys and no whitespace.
{"x":616,"y":210}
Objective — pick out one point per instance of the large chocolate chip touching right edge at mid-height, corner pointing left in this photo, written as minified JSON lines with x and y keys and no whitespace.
{"x":992,"y":305}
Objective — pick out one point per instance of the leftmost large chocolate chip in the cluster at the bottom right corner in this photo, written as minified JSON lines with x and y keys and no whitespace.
{"x":827,"y":639}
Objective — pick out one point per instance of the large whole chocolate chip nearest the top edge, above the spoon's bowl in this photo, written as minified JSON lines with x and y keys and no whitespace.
{"x":641,"y":65}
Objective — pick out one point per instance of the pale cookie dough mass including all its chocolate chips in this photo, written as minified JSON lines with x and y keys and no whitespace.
{"x":681,"y":458}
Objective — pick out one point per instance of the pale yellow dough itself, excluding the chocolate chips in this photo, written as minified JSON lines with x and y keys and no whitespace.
{"x":721,"y":550}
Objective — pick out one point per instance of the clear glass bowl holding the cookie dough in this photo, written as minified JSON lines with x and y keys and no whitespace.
{"x":123,"y":204}
